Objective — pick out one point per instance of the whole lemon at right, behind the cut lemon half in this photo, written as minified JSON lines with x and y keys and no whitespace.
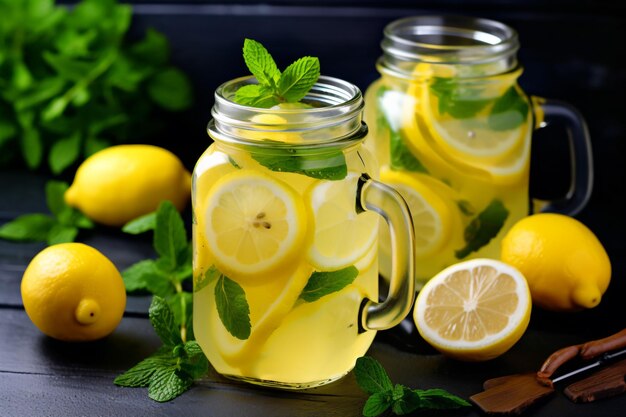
{"x":566,"y":266}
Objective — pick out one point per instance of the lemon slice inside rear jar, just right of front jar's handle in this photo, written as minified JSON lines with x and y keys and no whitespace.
{"x":431,"y":215}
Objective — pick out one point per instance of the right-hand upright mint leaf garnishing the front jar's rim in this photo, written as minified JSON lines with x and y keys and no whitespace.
{"x":298,"y":78}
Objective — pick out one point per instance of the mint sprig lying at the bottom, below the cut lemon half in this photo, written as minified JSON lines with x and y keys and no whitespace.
{"x":373,"y":379}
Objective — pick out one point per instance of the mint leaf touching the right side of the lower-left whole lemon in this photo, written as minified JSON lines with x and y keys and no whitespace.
{"x":146,"y":275}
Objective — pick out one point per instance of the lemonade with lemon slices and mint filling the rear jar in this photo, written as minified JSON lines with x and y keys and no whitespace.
{"x":466,"y":182}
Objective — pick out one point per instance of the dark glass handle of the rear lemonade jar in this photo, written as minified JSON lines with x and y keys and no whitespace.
{"x":580,"y":153}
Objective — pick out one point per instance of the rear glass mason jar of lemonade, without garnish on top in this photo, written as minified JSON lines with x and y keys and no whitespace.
{"x":452,"y":129}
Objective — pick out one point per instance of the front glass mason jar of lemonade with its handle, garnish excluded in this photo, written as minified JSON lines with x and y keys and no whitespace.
{"x":285,"y":232}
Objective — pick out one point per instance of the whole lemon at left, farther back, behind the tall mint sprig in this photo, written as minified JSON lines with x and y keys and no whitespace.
{"x":123,"y":182}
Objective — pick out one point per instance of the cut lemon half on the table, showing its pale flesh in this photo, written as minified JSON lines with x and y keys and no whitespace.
{"x":474,"y":310}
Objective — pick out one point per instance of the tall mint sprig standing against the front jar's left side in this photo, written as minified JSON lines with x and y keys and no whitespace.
{"x":171,"y":370}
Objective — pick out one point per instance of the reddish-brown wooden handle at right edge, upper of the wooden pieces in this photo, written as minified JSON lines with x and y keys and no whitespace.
{"x":585,"y":351}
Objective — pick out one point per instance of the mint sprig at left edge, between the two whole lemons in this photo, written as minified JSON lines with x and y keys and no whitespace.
{"x":60,"y":226}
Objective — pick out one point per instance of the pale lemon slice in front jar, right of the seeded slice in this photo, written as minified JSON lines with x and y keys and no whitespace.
{"x":341,"y":236}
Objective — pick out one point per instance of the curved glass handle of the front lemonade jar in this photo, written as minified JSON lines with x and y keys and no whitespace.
{"x":384,"y":200}
